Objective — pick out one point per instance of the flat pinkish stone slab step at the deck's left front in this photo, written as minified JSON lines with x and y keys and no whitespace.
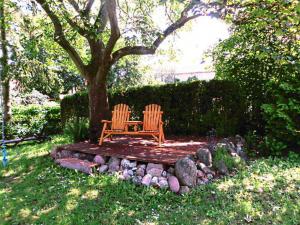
{"x":77,"y":164}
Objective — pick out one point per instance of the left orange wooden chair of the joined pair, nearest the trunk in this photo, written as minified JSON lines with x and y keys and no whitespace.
{"x":120,"y":115}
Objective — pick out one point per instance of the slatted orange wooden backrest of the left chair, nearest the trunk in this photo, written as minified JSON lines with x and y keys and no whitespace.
{"x":120,"y":115}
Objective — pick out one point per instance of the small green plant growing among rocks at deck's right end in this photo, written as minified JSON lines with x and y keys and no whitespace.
{"x":230,"y":162}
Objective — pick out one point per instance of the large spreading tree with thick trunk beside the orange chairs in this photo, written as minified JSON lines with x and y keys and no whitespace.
{"x":113,"y":30}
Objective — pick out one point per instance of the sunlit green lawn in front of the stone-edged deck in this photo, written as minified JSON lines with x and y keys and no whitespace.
{"x":33,"y":190}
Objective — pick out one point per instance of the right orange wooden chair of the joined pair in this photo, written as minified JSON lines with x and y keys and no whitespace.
{"x":152,"y":123}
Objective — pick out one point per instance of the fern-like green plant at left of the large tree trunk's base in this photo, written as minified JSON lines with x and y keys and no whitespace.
{"x":77,"y":129}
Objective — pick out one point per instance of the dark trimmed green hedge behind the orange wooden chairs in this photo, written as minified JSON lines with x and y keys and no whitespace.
{"x":189,"y":108}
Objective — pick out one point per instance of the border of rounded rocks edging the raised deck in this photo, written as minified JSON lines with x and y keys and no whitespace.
{"x":188,"y":172}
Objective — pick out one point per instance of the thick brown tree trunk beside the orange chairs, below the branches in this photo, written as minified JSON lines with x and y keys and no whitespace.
{"x":98,"y":107}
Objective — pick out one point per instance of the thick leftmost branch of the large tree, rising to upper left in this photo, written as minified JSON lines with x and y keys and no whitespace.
{"x":60,"y":38}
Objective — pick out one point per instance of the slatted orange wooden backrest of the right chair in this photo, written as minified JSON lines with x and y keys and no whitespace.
{"x":152,"y":117}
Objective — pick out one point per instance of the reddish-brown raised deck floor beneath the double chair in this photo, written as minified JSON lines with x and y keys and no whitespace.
{"x":142,"y":149}
